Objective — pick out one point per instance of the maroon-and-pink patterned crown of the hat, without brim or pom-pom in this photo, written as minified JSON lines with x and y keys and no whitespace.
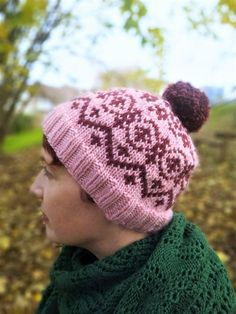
{"x":132,"y":122}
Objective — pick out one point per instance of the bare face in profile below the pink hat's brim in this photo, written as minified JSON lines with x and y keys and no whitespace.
{"x":69,"y":218}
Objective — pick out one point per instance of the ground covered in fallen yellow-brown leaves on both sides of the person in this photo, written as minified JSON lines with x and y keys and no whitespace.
{"x":209,"y":202}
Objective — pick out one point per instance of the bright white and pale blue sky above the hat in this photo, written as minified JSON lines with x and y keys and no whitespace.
{"x":189,"y":56}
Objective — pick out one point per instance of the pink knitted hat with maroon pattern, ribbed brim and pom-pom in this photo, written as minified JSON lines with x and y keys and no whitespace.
{"x":130,"y":150}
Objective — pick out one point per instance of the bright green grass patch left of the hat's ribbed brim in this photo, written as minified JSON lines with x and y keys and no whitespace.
{"x":17,"y":142}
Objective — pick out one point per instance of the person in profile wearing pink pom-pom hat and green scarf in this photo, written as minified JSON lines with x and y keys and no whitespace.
{"x":115,"y":162}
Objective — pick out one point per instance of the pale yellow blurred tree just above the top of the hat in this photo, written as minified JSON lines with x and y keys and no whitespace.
{"x":136,"y":78}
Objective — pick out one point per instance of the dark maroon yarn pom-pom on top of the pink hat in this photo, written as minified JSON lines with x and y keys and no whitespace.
{"x":189,"y":103}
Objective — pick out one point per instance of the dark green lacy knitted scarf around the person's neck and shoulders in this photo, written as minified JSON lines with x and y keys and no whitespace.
{"x":172,"y":271}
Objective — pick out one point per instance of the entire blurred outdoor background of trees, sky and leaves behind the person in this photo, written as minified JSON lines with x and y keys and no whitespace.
{"x":52,"y":51}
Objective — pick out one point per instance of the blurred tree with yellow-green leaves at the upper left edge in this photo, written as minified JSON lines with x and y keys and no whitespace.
{"x":24,"y":27}
